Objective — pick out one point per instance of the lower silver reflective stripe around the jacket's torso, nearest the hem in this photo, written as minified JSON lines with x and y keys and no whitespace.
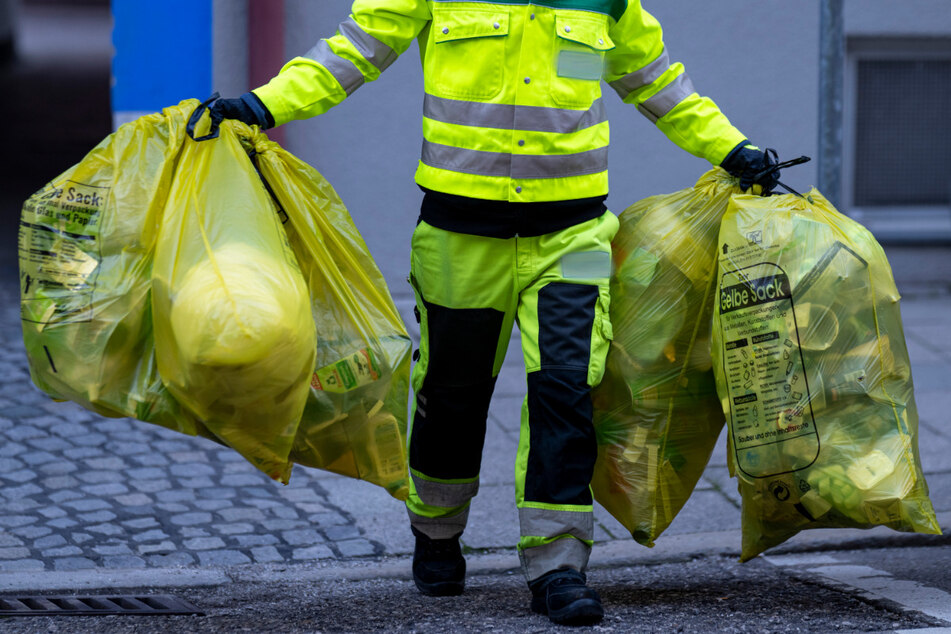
{"x":526,"y":166}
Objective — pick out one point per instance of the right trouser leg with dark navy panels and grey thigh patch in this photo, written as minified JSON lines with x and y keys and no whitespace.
{"x":565,"y":328}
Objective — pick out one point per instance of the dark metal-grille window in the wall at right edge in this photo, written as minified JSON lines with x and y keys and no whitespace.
{"x":903,"y":133}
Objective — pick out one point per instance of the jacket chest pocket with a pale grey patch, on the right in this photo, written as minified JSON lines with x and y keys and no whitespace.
{"x":578,"y":60}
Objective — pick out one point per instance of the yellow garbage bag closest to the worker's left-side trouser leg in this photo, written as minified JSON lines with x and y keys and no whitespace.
{"x":354,"y":421}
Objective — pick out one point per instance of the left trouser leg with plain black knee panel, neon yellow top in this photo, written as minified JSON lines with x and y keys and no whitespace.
{"x":462,"y":321}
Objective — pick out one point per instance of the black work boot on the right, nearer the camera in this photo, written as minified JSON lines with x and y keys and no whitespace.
{"x":564,"y":597}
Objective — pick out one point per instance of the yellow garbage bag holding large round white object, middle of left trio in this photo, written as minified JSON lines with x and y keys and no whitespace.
{"x":234,"y":337}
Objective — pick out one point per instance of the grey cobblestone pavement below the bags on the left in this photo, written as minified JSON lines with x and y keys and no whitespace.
{"x":83,"y":491}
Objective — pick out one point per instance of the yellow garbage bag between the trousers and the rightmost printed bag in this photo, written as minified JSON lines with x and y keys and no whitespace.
{"x":656,"y":411}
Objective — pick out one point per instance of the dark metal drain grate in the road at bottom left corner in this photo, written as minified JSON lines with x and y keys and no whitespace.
{"x":37,"y":605}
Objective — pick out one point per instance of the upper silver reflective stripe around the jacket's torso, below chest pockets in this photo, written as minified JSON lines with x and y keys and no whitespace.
{"x":511,"y":117}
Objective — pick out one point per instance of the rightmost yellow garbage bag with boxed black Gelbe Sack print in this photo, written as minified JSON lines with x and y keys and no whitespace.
{"x":813,"y":374}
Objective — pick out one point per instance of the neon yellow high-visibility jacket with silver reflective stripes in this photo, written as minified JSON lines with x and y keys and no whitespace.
{"x":513,"y":107}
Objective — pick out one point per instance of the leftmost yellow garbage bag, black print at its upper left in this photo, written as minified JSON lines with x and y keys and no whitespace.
{"x":86,"y":244}
